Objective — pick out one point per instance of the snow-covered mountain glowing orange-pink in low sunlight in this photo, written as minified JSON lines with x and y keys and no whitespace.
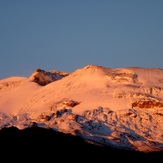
{"x":116,"y":107}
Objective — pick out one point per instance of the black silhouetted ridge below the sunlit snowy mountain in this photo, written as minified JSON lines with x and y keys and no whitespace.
{"x":47,"y":144}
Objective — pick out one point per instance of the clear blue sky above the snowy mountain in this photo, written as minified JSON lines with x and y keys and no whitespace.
{"x":69,"y":34}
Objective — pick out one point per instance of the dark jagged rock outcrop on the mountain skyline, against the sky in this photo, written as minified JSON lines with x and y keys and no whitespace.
{"x":43,"y":77}
